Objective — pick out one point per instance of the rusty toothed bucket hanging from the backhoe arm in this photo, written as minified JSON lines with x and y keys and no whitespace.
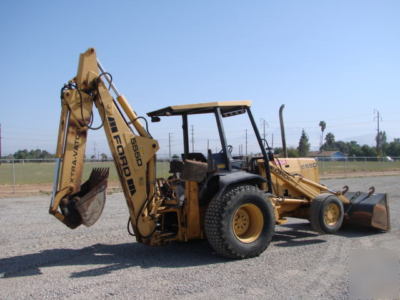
{"x":90,"y":201}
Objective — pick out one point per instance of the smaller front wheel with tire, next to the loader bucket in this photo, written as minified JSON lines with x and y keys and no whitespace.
{"x":326,"y":213}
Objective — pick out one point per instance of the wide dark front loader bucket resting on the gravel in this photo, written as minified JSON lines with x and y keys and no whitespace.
{"x":368,"y":209}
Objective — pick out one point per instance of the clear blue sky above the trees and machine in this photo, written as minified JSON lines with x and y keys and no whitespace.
{"x":337,"y":61}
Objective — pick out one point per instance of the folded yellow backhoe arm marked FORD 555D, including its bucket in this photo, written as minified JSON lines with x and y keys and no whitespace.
{"x":133,"y":151}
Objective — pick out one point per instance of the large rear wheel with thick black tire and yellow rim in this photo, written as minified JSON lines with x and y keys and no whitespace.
{"x":240,"y":223}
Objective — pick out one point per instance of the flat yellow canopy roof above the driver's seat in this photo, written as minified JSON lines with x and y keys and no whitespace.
{"x":227,"y":108}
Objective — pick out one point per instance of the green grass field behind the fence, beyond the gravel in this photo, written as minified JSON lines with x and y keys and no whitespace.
{"x":42,"y":173}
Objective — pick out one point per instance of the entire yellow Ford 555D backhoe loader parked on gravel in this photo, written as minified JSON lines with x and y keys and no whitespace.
{"x":232,"y":202}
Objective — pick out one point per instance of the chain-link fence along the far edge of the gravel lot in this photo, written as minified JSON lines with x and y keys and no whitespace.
{"x":19,"y":176}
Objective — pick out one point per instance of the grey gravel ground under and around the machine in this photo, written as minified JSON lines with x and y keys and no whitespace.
{"x":41,"y":258}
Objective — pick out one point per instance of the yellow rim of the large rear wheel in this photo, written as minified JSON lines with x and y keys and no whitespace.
{"x":248,"y":222}
